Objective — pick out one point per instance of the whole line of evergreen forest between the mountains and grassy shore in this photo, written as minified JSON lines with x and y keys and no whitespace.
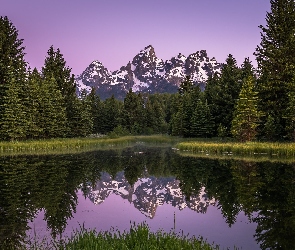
{"x":240,"y":102}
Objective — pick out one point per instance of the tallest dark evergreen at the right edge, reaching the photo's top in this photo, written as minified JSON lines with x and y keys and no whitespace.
{"x":276,"y":61}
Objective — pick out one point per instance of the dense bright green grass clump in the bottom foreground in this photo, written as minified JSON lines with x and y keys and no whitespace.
{"x":139,"y":237}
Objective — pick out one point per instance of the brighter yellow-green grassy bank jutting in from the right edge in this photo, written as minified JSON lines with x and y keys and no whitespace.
{"x":235,"y":148}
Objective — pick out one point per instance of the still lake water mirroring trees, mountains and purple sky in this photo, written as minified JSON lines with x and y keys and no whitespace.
{"x":247,"y":204}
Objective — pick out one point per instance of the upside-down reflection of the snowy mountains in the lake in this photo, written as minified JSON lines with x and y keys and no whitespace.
{"x":148,"y":193}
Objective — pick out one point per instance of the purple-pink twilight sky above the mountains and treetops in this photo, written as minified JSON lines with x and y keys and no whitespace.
{"x":114,"y":31}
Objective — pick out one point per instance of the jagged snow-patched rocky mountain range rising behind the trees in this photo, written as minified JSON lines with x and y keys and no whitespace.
{"x":147,"y":73}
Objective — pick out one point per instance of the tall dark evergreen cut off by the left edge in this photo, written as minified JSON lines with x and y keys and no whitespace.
{"x":12,"y":77}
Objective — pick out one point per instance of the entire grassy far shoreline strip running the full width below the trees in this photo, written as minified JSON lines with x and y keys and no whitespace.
{"x":207,"y":147}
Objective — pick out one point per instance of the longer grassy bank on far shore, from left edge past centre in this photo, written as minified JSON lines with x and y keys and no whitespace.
{"x":76,"y":145}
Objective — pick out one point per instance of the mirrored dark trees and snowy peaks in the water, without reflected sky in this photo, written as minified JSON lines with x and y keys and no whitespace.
{"x":148,"y":178}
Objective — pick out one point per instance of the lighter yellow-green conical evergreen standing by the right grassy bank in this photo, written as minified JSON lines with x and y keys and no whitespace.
{"x":246,"y":114}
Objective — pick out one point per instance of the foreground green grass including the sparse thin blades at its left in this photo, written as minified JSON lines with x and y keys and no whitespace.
{"x":139,"y":237}
